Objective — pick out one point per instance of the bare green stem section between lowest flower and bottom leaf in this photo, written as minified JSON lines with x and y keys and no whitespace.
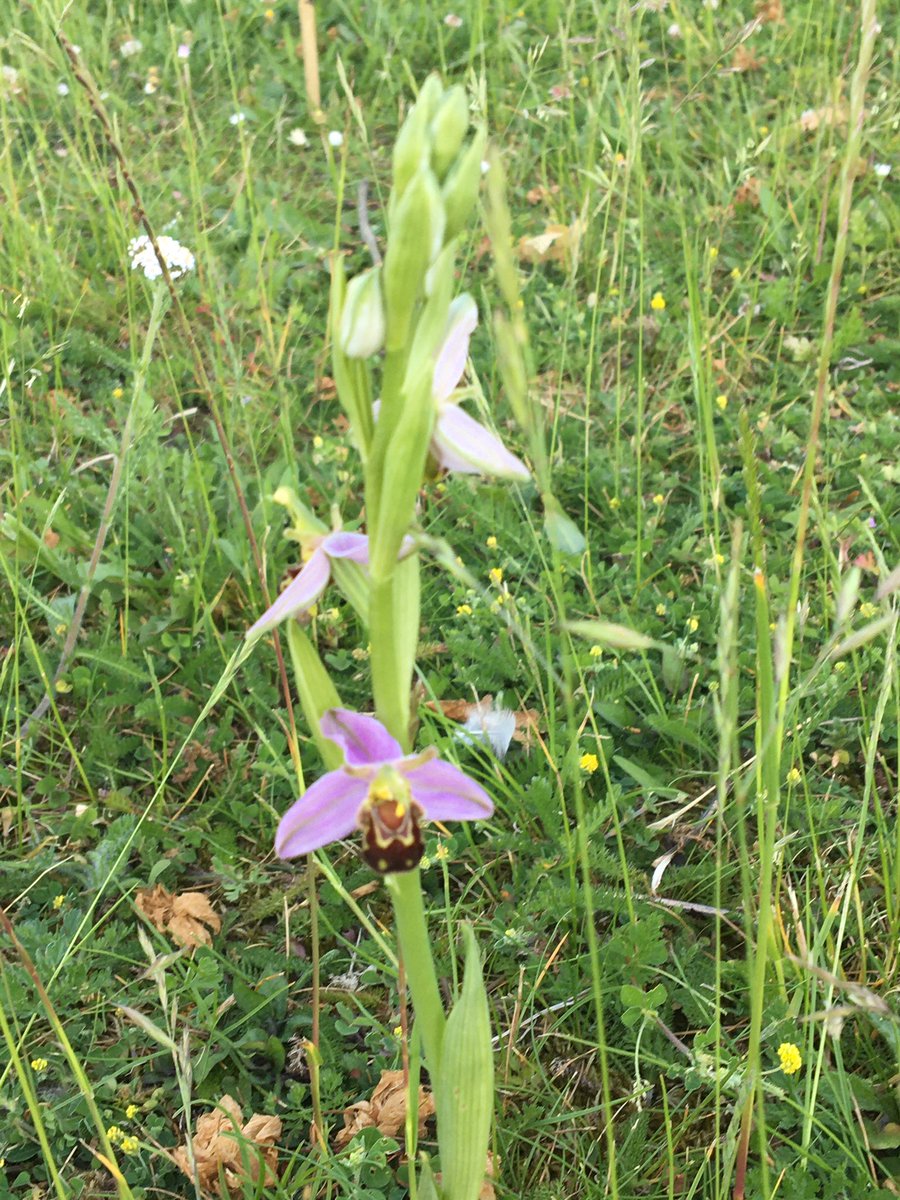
{"x":416,"y":947}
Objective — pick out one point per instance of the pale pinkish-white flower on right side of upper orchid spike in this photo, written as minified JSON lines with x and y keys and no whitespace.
{"x":459,"y":442}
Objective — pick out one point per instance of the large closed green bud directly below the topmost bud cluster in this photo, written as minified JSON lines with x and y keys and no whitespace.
{"x":417,"y":236}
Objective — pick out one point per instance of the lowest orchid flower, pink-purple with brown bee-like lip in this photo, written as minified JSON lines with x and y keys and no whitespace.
{"x":383,"y":793}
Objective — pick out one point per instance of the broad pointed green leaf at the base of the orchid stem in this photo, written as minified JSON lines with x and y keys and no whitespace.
{"x":465,"y":1089}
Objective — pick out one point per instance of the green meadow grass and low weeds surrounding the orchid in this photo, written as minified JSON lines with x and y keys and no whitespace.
{"x":727,"y":879}
